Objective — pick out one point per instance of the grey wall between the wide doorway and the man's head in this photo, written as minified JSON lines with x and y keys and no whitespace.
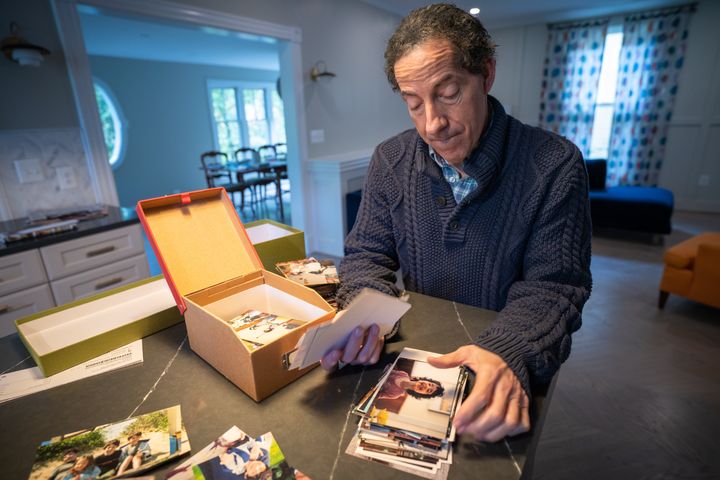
{"x":357,"y":109}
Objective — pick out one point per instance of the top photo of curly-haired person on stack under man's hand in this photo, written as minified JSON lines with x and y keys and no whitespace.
{"x":416,"y":396}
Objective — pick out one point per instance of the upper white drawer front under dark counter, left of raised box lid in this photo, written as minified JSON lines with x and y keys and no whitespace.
{"x":85,"y":253}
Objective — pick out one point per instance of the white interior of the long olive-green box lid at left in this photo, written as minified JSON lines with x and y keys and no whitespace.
{"x":68,"y":327}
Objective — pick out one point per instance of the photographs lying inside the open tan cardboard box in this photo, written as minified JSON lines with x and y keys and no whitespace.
{"x":257,"y":328}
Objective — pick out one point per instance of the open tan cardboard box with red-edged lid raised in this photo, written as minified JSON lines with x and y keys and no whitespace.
{"x":215,"y":274}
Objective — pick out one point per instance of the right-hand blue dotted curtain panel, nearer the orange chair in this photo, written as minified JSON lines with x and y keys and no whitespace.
{"x":650,"y":62}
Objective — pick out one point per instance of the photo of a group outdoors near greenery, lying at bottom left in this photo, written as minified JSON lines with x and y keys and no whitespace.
{"x":122,"y":449}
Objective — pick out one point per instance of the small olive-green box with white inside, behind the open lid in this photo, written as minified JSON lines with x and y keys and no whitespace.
{"x":275,"y":242}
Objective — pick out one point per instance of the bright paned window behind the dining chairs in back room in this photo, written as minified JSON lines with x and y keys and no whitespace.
{"x":245,"y":114}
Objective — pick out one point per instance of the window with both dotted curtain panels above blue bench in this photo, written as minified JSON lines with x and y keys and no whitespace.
{"x":611,"y":90}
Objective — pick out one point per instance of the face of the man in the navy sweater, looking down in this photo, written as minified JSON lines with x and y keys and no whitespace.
{"x":447,"y":104}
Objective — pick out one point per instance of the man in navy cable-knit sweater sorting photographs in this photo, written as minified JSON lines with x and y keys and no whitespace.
{"x":475,"y":207}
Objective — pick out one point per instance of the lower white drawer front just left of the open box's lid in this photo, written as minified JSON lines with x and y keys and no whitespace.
{"x":100,"y":279}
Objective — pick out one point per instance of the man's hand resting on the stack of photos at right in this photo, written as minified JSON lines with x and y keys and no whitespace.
{"x":497,"y":405}
